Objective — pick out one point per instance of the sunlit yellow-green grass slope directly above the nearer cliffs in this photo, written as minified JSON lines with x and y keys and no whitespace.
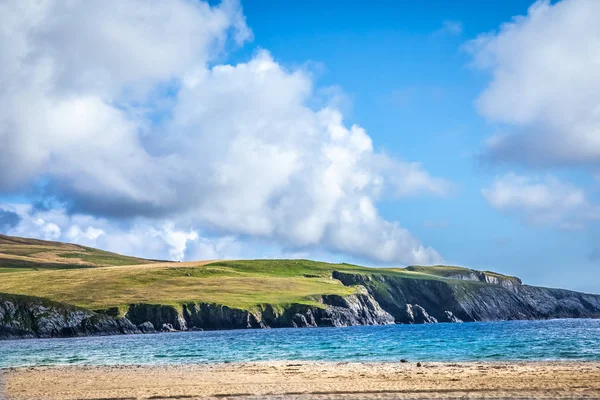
{"x":232,"y":284}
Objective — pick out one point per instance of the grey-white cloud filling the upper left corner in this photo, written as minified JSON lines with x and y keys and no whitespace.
{"x":73,"y":75}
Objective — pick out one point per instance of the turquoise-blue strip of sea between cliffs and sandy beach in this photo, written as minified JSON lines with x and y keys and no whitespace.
{"x":511,"y":340}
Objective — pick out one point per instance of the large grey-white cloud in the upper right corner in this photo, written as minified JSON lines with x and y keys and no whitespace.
{"x":545,"y":84}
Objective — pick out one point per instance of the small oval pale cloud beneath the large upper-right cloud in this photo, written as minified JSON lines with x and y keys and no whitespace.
{"x":542,"y":200}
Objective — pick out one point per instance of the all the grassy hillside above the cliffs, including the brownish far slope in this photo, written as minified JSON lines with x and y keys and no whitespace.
{"x":97,"y":279}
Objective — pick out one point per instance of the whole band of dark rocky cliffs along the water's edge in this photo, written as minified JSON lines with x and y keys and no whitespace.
{"x":380,"y":299}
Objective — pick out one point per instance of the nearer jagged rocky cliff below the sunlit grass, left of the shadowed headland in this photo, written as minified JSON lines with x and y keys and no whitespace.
{"x":31,"y":317}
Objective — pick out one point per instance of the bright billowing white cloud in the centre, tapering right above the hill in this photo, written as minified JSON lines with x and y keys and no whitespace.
{"x":278,"y":168}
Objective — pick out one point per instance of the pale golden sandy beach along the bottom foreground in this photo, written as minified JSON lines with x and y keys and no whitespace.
{"x":308,"y":380}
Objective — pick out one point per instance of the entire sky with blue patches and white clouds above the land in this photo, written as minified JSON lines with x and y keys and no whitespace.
{"x":384,"y":134}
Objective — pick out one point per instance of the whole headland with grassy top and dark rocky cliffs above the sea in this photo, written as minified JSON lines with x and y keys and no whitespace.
{"x":52,"y":289}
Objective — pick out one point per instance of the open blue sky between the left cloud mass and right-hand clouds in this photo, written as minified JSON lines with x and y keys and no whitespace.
{"x":410,"y":83}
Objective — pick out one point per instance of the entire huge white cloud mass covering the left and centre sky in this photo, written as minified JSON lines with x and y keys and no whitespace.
{"x":124,"y":111}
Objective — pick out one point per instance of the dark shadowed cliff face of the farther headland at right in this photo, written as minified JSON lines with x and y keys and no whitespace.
{"x":485,"y":298}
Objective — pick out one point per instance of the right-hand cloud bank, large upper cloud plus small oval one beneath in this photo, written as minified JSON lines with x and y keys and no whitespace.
{"x":543,"y":98}
